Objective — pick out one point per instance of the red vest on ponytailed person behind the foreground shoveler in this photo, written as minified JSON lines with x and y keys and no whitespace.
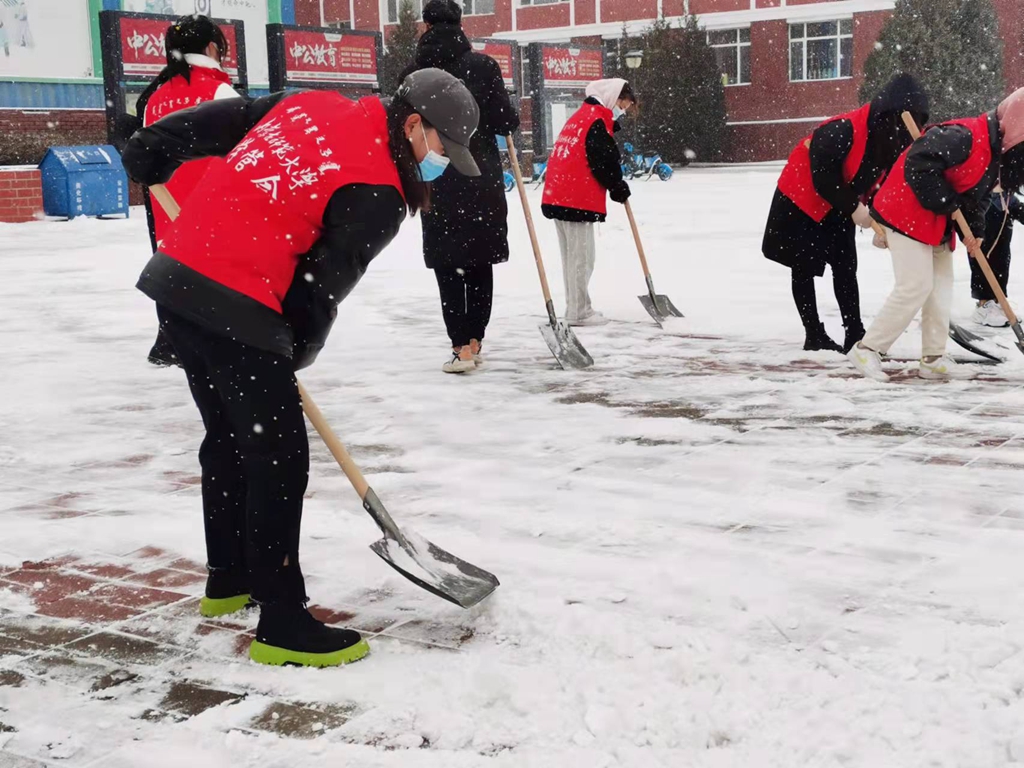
{"x":179,"y":94}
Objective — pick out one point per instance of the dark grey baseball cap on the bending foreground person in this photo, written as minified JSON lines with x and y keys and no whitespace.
{"x":446,"y":103}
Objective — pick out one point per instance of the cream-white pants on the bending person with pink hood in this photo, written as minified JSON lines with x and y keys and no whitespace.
{"x":925,"y":284}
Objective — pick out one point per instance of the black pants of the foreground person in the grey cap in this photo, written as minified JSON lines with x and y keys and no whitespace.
{"x":255,"y":457}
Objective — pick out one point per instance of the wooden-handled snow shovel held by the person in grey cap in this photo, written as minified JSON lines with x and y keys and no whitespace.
{"x":420,"y":562}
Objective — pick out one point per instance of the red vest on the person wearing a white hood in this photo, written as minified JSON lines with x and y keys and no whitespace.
{"x":570,"y":183}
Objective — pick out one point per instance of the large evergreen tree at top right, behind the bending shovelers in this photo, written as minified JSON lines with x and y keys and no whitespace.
{"x":952,"y":47}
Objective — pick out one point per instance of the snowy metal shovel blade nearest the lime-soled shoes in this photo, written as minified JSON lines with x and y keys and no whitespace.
{"x":437,"y":571}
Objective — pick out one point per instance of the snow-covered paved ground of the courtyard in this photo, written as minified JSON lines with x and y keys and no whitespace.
{"x":715,"y":549}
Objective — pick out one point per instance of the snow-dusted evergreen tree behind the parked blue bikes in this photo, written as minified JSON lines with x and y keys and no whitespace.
{"x":682,"y":100}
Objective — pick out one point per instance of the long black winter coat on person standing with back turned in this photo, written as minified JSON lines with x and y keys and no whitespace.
{"x":467,"y":225}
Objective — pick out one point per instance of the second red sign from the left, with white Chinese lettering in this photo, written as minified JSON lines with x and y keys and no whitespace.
{"x":328,"y":58}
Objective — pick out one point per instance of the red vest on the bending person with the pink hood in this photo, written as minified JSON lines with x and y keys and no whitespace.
{"x":898,"y":204}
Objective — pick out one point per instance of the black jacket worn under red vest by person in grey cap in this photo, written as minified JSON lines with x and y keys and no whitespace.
{"x":359,"y":223}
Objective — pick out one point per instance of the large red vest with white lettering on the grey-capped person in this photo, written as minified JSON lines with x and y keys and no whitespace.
{"x":263,"y":206}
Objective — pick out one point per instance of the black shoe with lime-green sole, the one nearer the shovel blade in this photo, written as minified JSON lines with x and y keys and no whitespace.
{"x":288,"y":634}
